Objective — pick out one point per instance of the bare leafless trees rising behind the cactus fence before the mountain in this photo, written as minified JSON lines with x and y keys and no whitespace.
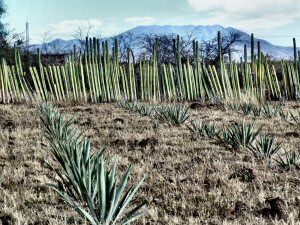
{"x":142,"y":45}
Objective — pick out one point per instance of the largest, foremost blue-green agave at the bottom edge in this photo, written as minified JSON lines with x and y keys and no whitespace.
{"x":112,"y":200}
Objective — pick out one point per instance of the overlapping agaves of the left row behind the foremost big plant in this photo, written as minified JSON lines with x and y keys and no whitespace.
{"x":71,"y":151}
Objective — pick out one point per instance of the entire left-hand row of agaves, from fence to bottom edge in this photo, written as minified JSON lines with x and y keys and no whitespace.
{"x":87,"y":181}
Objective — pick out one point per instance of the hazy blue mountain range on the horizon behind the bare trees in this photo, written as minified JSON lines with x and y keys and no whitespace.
{"x":201,"y":33}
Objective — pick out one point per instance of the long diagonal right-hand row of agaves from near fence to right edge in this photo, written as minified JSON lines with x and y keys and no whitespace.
{"x":235,"y":137}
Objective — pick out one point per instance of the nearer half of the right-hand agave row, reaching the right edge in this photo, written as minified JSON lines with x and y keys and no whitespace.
{"x":247,"y":137}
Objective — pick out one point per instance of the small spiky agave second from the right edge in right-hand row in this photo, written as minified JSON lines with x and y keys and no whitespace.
{"x":265,"y":147}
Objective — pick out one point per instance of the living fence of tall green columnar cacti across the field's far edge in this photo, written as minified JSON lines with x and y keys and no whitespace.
{"x":97,"y":75}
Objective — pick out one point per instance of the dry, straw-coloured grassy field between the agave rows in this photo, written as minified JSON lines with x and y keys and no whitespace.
{"x":191,"y":179}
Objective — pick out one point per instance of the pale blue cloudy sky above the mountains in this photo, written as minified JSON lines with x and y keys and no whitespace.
{"x":276,"y":21}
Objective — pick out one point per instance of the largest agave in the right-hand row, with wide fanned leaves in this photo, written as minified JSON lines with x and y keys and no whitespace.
{"x":239,"y":135}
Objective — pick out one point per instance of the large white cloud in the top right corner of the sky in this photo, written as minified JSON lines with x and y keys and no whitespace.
{"x":255,"y":15}
